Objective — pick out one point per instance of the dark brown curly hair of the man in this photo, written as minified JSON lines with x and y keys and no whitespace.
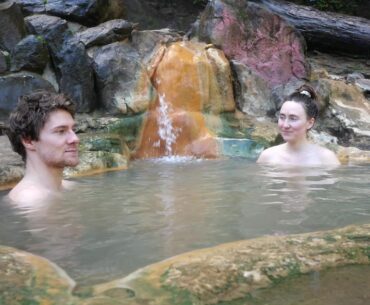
{"x":30,"y":115}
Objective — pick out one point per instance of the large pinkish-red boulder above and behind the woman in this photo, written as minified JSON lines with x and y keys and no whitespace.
{"x":252,"y":35}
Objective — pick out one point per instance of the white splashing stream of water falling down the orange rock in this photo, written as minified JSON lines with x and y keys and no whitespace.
{"x":166,"y":131}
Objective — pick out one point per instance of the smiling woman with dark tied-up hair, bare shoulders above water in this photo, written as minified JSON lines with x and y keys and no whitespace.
{"x":297,"y":116}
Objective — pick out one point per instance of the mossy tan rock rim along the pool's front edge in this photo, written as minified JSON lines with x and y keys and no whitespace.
{"x":221,"y":274}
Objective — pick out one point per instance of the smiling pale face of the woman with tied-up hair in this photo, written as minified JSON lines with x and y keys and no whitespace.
{"x":293,"y":122}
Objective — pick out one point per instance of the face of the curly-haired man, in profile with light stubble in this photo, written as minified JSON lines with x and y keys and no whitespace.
{"x":57,"y":145}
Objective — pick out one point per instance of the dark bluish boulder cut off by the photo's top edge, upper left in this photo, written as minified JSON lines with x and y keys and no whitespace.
{"x":87,"y":12}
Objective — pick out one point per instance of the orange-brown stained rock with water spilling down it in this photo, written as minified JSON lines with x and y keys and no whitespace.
{"x":190,"y":78}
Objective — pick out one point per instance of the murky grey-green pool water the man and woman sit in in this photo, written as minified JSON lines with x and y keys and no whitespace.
{"x":115,"y":223}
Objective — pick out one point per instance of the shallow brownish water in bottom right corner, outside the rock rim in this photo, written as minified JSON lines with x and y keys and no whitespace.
{"x":341,"y":286}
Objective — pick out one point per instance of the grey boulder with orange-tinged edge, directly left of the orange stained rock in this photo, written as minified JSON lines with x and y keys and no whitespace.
{"x":122,"y":81}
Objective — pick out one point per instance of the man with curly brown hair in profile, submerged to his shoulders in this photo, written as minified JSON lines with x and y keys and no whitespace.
{"x":41,"y":130}
